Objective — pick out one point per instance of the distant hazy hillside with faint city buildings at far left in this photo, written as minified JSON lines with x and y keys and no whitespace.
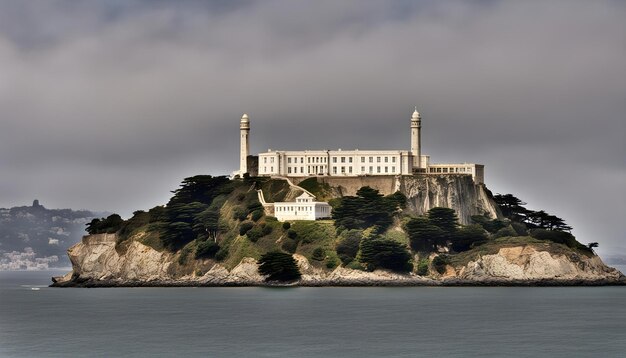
{"x":34,"y":237}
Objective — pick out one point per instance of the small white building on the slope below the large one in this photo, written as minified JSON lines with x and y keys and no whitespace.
{"x":304,"y":208}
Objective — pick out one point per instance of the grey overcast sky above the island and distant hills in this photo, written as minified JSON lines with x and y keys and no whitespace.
{"x":108,"y":105}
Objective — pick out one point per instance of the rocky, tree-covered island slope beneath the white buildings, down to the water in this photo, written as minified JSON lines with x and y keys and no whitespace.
{"x":215,"y":231}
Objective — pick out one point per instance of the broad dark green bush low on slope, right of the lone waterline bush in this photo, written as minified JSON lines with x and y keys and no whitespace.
{"x":387,"y":254}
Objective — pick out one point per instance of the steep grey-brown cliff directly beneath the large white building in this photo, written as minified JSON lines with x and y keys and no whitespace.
{"x":424,"y":192}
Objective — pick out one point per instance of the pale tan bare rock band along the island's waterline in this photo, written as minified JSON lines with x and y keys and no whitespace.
{"x":97,"y":262}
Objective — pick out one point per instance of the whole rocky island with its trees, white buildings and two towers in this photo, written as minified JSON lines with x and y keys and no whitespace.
{"x":336,"y":218}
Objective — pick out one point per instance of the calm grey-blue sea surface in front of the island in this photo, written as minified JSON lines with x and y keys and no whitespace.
{"x":308,"y":322}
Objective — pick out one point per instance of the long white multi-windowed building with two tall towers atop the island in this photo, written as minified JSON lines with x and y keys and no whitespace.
{"x":351,"y":162}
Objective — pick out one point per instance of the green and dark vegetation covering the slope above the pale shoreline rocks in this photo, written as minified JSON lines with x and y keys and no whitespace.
{"x":214,"y":218}
